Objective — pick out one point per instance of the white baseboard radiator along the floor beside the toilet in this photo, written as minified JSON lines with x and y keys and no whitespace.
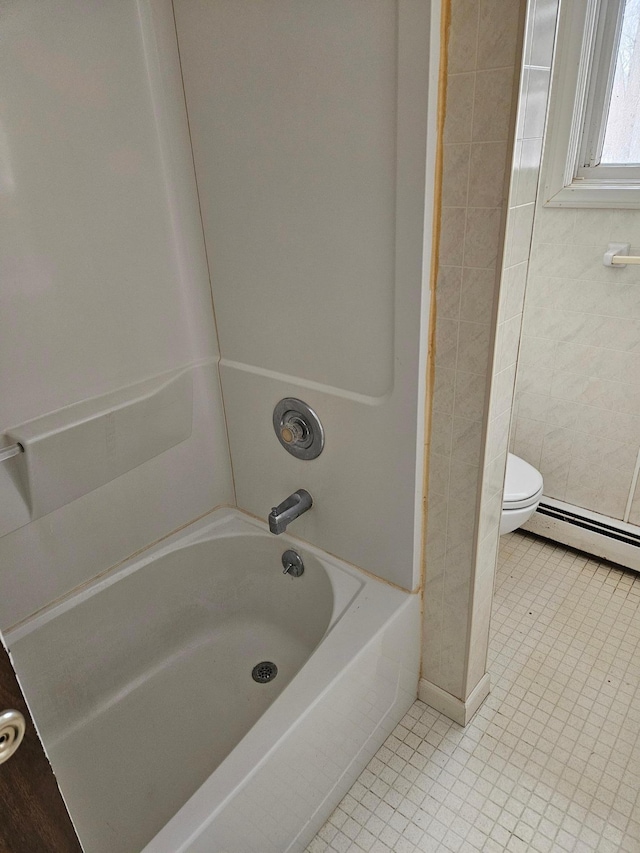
{"x":588,"y":531}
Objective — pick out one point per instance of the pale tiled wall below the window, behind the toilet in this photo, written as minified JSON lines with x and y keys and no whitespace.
{"x":578,"y":388}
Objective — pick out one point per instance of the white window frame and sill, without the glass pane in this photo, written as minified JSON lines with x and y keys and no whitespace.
{"x":584,"y":65}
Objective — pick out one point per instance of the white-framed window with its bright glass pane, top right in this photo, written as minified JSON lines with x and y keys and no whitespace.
{"x":594,"y":121}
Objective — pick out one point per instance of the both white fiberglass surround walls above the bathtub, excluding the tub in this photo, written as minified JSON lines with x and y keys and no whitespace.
{"x":309,"y":128}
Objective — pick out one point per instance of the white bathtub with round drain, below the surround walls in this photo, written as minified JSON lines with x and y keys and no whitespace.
{"x":161,"y":740}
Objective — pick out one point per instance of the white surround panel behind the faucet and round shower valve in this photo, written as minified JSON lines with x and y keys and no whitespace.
{"x":309,"y":130}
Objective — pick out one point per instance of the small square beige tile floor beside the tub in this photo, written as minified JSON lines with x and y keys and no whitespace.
{"x":551,"y":762}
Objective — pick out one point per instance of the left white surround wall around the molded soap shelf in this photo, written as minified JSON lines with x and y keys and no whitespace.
{"x":103,"y":276}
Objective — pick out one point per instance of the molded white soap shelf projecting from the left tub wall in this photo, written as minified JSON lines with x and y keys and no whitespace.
{"x":77,"y":449}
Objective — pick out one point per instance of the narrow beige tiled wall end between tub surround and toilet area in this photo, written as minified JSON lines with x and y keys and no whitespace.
{"x":483,"y":65}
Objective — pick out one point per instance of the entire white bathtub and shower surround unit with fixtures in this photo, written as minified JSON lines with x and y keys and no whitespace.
{"x":218,"y":255}
